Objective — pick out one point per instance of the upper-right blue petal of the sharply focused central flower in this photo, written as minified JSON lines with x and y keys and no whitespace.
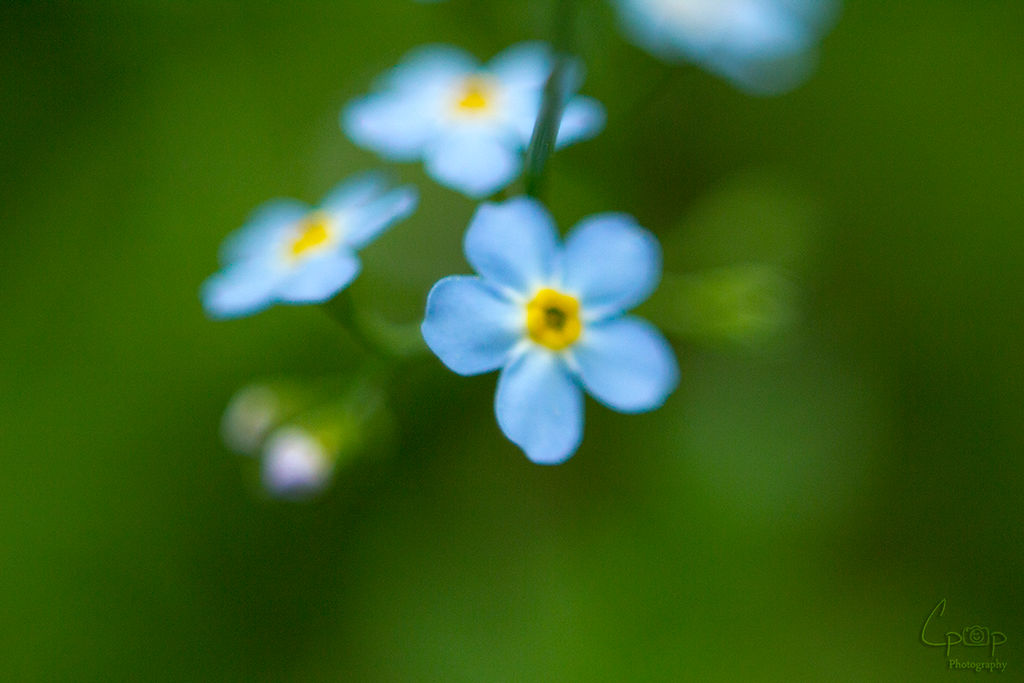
{"x":612,"y":264}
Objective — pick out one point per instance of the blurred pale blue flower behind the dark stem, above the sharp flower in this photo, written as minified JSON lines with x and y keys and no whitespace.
{"x":470,"y":123}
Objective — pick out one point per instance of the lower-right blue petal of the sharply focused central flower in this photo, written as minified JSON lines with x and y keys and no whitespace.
{"x":627,"y":365}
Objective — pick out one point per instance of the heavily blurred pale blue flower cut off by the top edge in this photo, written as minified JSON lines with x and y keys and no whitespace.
{"x":763,"y":47}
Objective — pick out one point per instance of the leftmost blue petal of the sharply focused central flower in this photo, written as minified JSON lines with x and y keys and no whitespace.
{"x":471,"y":326}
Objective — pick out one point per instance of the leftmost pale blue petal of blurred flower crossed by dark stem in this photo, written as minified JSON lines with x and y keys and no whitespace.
{"x":393,"y":124}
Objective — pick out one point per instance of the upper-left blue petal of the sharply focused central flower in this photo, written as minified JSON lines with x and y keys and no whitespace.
{"x":514,"y":244}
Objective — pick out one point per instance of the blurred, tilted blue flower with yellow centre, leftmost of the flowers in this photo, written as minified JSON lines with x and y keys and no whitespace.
{"x":290,"y":253}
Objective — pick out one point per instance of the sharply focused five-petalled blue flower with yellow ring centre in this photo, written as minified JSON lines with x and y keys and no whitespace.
{"x":551,"y":317}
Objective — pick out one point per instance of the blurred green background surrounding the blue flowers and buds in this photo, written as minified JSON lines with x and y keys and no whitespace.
{"x":793,"y":514}
